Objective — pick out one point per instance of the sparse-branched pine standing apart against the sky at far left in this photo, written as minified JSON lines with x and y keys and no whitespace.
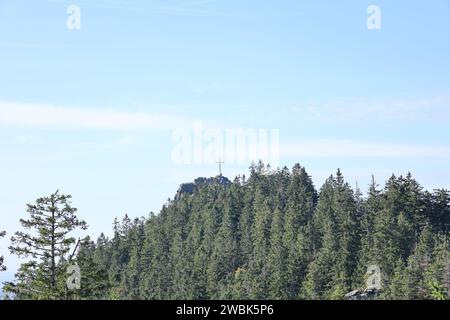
{"x":43,"y":277}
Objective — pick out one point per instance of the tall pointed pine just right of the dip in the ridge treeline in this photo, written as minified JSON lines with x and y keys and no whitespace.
{"x":337,"y":225}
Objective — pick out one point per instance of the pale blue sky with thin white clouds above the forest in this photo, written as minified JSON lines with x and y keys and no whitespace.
{"x":92,"y":111}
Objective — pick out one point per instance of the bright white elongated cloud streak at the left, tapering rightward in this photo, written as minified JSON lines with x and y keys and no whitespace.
{"x":38,"y":115}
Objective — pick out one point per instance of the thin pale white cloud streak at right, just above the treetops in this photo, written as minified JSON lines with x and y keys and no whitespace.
{"x":360,"y":149}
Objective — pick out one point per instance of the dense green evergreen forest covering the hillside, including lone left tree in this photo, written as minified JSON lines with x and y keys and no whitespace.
{"x":269,"y":236}
